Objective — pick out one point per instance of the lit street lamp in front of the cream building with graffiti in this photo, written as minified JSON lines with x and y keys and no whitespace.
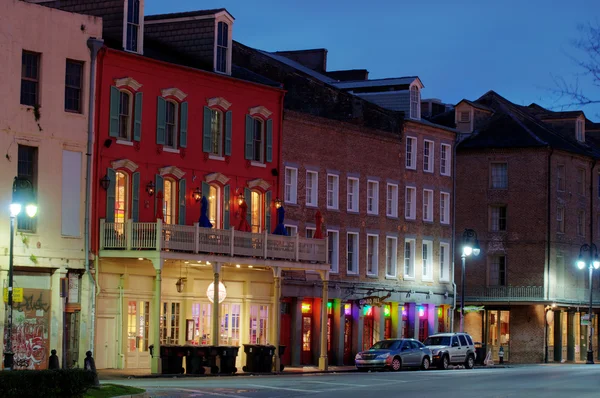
{"x":22,"y":195}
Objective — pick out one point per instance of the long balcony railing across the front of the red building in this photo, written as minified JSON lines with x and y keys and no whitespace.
{"x":195,"y":239}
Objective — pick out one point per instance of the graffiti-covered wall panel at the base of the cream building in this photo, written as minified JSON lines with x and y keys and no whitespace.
{"x":31,"y":330}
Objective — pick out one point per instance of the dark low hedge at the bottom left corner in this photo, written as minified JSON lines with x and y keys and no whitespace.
{"x":68,"y":383}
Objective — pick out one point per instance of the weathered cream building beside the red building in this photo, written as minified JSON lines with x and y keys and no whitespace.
{"x":45,"y":65}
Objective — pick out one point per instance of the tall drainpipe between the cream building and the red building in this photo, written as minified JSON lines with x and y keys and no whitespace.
{"x":94,"y":45}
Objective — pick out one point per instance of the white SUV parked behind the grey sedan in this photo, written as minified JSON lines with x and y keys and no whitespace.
{"x":451,"y":349}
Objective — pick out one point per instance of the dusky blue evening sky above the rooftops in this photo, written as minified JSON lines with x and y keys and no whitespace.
{"x":459,"y":48}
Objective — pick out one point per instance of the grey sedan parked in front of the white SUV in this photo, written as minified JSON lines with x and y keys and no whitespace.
{"x":394,"y":354}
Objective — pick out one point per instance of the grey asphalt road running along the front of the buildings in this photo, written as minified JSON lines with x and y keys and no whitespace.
{"x":576,"y":381}
